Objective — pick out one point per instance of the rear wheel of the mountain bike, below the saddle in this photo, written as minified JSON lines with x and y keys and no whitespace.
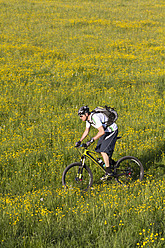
{"x":128,"y":169}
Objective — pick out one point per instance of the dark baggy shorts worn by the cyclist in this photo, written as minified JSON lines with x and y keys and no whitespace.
{"x":107,"y":142}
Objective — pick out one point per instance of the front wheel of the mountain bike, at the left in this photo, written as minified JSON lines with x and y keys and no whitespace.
{"x":77,"y":177}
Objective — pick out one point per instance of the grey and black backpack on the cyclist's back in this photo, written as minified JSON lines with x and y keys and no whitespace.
{"x":109,"y":112}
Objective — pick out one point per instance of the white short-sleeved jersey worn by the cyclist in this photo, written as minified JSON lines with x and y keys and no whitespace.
{"x":98,"y":119}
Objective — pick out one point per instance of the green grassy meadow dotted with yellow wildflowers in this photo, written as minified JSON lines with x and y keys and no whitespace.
{"x":56,"y":56}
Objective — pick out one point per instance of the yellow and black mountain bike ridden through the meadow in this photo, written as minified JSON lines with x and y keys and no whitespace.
{"x":78,"y":175}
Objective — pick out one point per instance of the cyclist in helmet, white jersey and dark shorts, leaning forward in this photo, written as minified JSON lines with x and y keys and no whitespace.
{"x":107,"y":136}
